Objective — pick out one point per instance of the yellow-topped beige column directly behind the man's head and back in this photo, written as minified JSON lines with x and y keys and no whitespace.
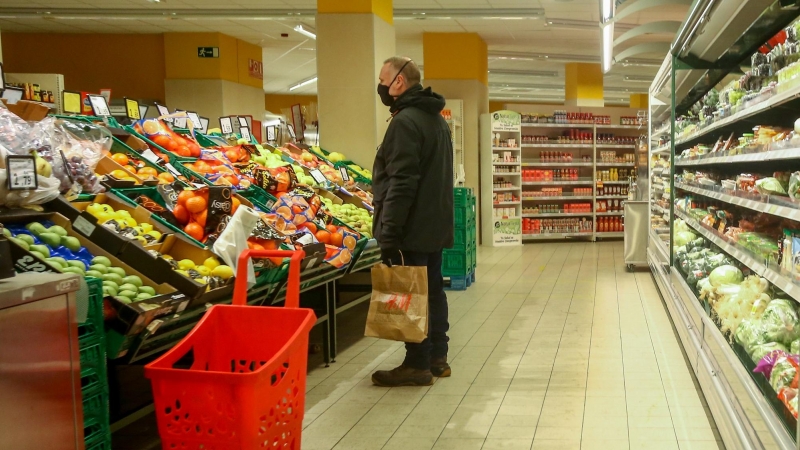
{"x":457,"y":67}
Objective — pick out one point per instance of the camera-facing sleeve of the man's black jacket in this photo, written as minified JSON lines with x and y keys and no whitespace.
{"x":402,"y":157}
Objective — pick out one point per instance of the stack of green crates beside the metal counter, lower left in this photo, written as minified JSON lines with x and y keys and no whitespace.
{"x":94,"y":381}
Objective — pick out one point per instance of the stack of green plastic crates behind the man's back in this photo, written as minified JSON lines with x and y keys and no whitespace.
{"x":459,"y":262}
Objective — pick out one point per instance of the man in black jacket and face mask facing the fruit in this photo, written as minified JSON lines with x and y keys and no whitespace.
{"x":413,"y":198}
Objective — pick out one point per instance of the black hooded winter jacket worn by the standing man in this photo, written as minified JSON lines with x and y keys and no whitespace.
{"x":412,"y":178}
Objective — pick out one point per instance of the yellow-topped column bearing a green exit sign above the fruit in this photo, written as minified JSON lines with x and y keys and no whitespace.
{"x":222,"y":85}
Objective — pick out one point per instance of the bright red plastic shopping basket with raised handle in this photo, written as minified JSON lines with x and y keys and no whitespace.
{"x":238,"y":379}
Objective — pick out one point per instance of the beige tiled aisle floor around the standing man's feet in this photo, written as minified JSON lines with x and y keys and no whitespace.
{"x":555,"y":347}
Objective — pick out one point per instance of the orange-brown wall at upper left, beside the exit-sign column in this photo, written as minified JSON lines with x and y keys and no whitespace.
{"x":131,"y":65}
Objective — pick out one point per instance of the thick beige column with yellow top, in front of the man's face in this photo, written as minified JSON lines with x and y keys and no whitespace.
{"x":354,"y":37}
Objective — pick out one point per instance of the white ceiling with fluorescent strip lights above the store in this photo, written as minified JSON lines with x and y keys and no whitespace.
{"x":289,"y":60}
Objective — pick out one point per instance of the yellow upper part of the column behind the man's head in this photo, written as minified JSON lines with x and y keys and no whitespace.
{"x":455,"y":56}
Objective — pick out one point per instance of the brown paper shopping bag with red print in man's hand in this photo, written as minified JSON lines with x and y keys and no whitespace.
{"x":398,"y":309}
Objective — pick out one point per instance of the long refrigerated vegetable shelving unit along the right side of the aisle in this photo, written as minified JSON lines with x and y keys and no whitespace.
{"x":686,"y":119}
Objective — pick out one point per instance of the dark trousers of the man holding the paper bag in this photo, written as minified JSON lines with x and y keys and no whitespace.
{"x":418,"y":356}
